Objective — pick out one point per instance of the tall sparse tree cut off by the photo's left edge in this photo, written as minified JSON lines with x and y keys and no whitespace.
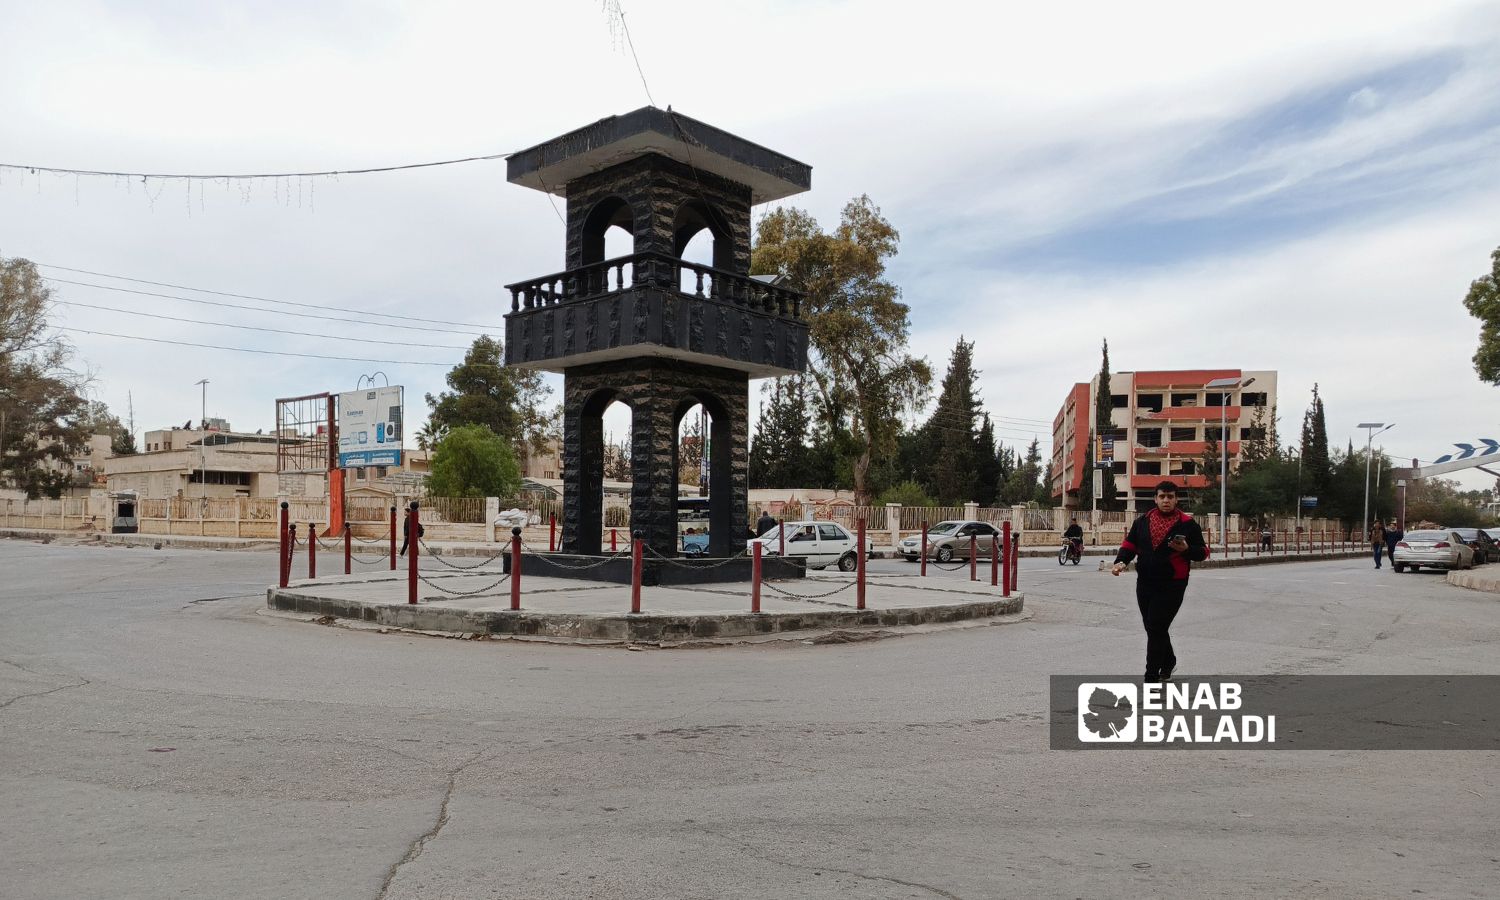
{"x":44,"y":418}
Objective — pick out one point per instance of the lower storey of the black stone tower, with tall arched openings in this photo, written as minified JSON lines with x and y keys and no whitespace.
{"x":659,"y":394}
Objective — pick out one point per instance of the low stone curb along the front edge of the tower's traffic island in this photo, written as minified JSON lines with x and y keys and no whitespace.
{"x":631,"y":629}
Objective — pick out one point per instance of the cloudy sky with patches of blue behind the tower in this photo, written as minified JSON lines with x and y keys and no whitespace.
{"x":1297,"y":187}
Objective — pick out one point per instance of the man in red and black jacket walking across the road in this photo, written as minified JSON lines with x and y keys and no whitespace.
{"x":1165,"y":544}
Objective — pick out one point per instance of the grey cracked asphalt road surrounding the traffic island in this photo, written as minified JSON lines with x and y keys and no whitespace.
{"x":163,"y":737}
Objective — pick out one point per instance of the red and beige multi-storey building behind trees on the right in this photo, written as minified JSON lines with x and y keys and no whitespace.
{"x":1160,"y":425}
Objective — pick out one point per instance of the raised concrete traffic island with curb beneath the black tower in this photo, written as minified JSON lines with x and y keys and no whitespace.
{"x":479,"y":604}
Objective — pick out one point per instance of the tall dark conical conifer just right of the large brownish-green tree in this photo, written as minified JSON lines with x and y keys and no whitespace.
{"x":952,"y":443}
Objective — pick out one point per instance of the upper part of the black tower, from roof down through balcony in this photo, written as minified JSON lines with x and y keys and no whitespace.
{"x":662,"y":178}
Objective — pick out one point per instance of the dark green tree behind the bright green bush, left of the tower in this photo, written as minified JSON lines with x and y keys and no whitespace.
{"x":485,"y":391}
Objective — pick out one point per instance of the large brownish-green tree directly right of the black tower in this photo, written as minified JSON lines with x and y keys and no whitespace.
{"x":860,"y":367}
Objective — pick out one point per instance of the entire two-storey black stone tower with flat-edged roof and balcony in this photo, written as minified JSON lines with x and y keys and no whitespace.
{"x":650,"y":329}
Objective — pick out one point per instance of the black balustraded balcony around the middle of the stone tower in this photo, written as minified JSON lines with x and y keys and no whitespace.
{"x":637,"y":307}
